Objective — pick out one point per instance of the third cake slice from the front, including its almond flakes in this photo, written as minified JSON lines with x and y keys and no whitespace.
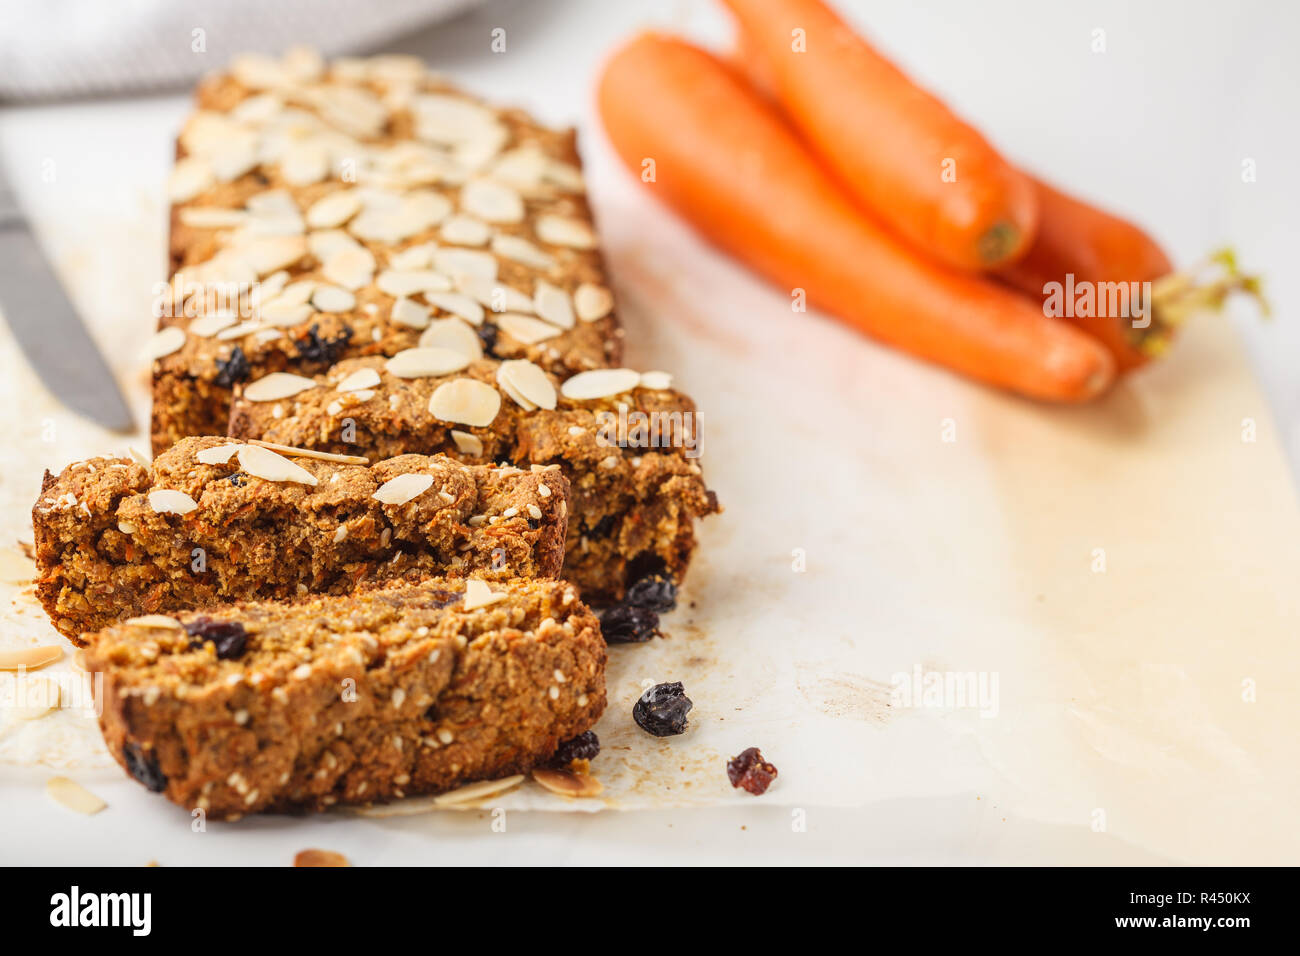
{"x":629,"y":443}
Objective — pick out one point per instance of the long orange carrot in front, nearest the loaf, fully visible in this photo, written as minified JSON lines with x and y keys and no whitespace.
{"x":714,"y":152}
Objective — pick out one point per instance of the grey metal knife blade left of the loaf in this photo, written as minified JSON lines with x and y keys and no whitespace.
{"x":47,"y":327}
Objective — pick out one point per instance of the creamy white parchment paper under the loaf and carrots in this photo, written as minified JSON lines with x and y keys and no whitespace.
{"x":1121,"y":576}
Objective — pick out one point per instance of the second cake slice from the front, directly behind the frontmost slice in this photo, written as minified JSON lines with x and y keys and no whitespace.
{"x":106,"y":552}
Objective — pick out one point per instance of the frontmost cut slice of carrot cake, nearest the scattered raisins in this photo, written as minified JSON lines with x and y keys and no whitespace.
{"x":352,"y":700}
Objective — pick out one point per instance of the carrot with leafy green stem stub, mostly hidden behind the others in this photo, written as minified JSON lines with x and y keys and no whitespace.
{"x":1082,"y":248}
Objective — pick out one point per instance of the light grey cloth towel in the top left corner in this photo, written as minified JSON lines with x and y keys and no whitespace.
{"x":53,"y":49}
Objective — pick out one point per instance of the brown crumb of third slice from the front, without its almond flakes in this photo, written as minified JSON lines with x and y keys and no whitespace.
{"x":634,"y":508}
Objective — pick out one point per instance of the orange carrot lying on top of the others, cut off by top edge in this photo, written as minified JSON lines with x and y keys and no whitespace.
{"x":902,"y":153}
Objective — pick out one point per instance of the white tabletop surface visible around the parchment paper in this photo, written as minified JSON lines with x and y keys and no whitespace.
{"x":1156,"y":127}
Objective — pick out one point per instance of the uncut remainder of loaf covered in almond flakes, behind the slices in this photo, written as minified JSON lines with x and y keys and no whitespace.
{"x":270,"y":140}
